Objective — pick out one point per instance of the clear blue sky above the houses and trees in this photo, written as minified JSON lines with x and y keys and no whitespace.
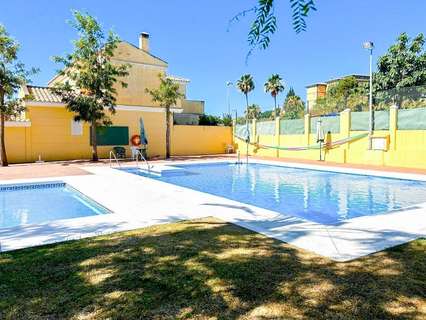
{"x":192,"y":37}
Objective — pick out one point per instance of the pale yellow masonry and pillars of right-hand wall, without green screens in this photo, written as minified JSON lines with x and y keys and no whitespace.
{"x":407,"y":148}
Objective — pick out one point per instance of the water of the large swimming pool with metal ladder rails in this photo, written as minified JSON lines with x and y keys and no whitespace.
{"x":319,"y":196}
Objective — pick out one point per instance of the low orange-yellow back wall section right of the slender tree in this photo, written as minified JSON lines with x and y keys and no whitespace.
{"x":197,"y":140}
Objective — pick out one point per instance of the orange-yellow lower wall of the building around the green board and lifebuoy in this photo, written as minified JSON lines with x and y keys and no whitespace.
{"x":50,"y":135}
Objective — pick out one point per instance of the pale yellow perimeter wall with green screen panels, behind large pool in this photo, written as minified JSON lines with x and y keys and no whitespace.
{"x":404,"y":133}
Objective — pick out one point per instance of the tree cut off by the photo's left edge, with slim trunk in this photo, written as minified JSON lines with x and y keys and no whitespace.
{"x":12,"y":76}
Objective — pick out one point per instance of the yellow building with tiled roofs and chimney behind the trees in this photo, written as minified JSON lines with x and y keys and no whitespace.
{"x":47,"y":130}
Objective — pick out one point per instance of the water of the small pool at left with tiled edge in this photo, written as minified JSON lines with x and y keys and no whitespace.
{"x":37,"y":203}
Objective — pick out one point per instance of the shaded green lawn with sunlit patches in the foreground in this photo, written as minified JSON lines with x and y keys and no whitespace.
{"x":207,"y":269}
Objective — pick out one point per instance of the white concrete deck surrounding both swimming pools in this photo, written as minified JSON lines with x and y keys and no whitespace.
{"x":139,"y":202}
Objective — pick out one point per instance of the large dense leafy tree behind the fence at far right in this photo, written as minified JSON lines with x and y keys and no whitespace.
{"x":403,"y":66}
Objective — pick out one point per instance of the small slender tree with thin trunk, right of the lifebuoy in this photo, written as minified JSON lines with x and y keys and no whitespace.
{"x":166,"y":95}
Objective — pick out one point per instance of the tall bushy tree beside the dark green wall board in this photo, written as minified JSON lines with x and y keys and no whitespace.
{"x":88,"y":90}
